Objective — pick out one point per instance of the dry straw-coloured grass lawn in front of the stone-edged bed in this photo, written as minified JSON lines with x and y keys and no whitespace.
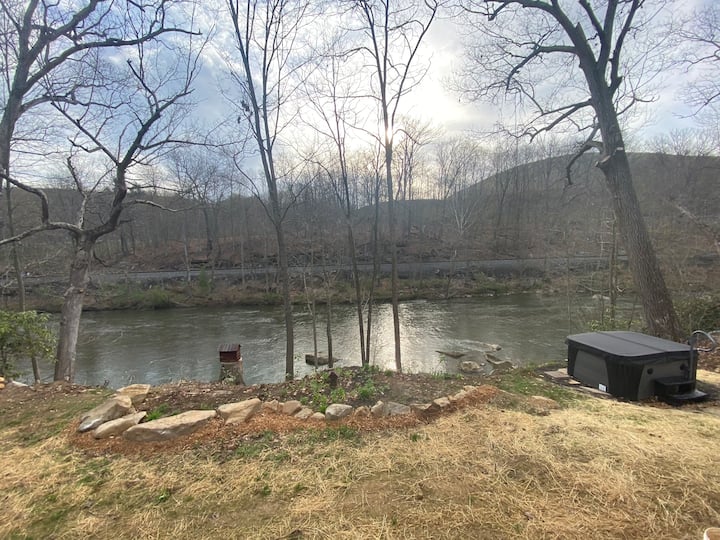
{"x":596,"y":468}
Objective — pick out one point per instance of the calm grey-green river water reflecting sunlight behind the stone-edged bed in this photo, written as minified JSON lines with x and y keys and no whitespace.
{"x":123,"y":347}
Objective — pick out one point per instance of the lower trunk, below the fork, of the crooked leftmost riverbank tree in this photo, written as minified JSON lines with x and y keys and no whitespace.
{"x":72,"y":310}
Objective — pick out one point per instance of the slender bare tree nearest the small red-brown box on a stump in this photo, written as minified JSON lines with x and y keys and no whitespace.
{"x":267,"y":37}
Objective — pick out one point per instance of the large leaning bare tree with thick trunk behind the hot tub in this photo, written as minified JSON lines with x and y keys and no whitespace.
{"x":584,"y":66}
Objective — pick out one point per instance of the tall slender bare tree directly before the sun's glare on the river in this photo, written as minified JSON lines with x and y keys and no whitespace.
{"x":393,"y":33}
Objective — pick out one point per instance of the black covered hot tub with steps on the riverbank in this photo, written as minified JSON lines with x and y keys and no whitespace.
{"x":631,"y":365}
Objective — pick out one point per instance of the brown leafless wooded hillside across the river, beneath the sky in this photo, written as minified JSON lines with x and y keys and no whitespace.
{"x":524,"y":211}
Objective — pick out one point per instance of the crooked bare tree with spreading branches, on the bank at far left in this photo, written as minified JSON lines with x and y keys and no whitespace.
{"x":124,"y":115}
